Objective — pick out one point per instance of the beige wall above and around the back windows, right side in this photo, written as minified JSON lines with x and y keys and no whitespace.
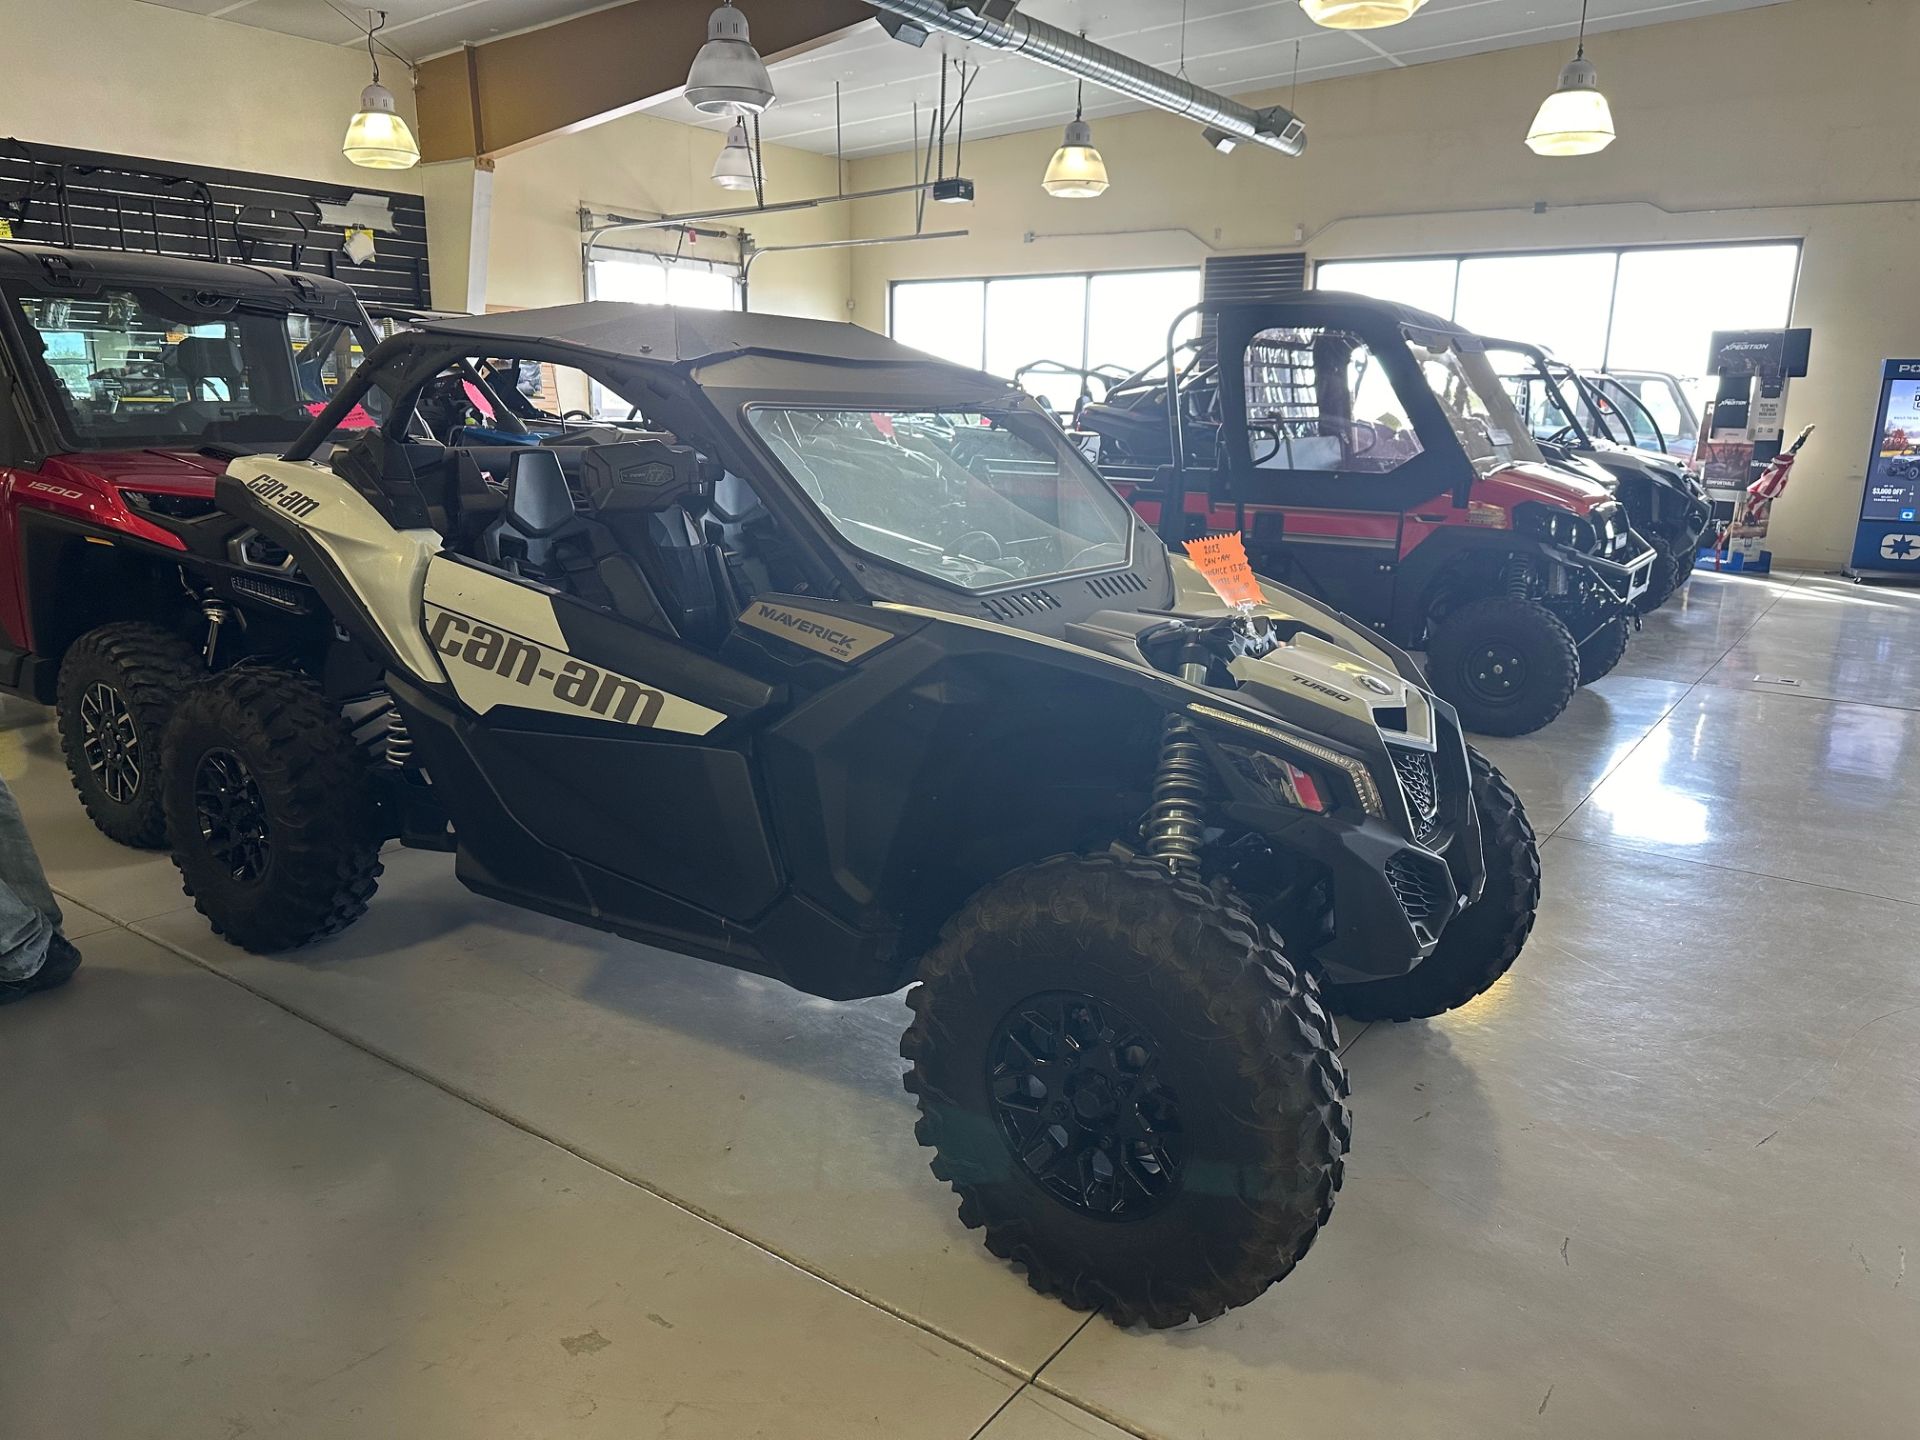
{"x":1769,"y":124}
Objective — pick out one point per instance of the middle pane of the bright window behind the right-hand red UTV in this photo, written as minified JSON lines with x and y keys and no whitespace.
{"x":1558,"y":302}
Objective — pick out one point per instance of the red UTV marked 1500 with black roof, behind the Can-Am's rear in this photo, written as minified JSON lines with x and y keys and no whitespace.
{"x":128,"y":385}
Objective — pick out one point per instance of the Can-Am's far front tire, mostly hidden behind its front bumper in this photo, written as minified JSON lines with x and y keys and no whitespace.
{"x":1487,"y":938}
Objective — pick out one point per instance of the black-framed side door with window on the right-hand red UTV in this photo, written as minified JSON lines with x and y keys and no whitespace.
{"x":1322,"y":454}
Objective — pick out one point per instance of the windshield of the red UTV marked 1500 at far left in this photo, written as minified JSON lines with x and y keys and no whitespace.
{"x":133,"y":368}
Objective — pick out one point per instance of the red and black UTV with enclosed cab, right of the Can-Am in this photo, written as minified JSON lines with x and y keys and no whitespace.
{"x":1374,"y":458}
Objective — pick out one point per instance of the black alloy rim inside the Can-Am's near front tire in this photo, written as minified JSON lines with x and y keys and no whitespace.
{"x":1082,"y":1105}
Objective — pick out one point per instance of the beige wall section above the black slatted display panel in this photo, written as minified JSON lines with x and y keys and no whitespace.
{"x":176,"y":87}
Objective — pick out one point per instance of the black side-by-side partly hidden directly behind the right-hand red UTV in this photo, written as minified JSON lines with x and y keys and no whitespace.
{"x":1575,"y":420}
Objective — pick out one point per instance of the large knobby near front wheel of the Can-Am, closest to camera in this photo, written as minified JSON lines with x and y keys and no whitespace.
{"x":1186,"y":1024}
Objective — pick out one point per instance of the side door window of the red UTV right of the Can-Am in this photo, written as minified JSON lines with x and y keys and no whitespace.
{"x":1318,"y":400}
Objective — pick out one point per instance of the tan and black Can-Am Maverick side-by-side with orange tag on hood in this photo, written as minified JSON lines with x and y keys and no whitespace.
{"x":842,"y":665}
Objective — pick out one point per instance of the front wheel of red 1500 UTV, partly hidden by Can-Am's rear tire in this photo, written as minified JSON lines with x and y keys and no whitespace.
{"x":118,"y":688}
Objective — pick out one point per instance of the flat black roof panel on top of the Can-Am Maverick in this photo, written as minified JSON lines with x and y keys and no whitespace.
{"x":681,"y":337}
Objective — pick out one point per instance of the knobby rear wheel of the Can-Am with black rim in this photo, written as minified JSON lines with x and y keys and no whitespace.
{"x":272,"y":811}
